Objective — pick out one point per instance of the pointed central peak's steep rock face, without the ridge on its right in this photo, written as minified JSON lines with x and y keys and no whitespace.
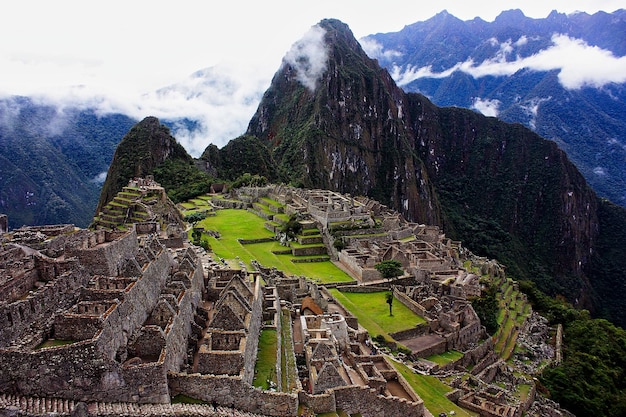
{"x":350,"y":134}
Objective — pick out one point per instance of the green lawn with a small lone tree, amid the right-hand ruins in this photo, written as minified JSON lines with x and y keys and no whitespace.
{"x":373,"y":312}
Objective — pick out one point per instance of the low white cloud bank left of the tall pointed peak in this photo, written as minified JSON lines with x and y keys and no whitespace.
{"x":220,"y":100}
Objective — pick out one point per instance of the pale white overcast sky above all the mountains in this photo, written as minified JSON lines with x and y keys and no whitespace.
{"x":205,"y":59}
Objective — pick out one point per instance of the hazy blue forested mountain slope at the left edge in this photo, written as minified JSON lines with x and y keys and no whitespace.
{"x":51,"y":161}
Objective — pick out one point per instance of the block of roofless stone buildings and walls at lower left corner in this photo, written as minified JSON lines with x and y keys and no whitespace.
{"x":104,"y":321}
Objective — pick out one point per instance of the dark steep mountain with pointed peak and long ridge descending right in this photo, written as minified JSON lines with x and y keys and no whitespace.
{"x":500,"y":188}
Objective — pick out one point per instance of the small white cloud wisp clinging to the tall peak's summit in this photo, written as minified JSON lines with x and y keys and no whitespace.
{"x":309,"y":57}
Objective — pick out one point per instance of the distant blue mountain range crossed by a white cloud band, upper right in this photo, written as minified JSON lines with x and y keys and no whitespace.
{"x":557,"y":76}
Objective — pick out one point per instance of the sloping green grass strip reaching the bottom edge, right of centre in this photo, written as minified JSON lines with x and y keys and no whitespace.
{"x":432,"y":392}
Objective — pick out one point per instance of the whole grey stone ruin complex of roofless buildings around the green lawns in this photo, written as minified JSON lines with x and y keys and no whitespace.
{"x":130,"y":313}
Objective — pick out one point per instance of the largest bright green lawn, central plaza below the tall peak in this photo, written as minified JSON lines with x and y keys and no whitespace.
{"x":233,"y":224}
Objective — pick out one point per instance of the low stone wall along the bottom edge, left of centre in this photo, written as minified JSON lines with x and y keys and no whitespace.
{"x":232,"y":391}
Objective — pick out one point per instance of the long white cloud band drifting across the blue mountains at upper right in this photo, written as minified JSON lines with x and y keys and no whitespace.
{"x":578,"y":63}
